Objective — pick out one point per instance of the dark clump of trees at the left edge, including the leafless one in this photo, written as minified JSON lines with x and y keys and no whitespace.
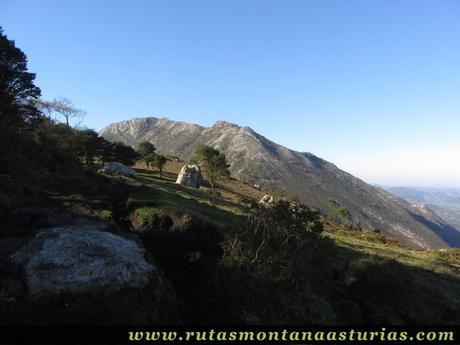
{"x":34,"y":146}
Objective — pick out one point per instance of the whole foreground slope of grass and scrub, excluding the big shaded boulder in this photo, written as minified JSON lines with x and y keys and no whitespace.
{"x":215,"y":264}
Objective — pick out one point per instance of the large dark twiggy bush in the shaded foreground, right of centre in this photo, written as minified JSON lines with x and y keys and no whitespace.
{"x":273,"y":265}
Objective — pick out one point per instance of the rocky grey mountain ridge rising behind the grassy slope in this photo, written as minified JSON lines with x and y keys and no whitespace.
{"x":257,"y":160}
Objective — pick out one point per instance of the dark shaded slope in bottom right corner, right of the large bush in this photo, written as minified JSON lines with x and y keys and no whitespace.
{"x":391,"y":292}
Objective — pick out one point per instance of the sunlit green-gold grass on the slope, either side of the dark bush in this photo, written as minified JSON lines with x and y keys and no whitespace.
{"x":224,"y":207}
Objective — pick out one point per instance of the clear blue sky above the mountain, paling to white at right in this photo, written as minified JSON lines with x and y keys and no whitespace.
{"x":373,"y":86}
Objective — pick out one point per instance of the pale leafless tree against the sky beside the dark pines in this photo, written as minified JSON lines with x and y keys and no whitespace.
{"x":62,"y":109}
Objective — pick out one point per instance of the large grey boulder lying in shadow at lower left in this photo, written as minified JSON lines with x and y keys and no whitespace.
{"x":73,"y":260}
